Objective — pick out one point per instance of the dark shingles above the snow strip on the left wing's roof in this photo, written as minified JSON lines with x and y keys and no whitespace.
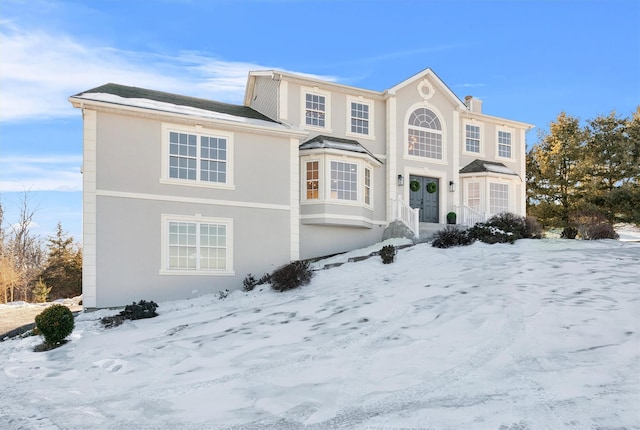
{"x":176,"y":99}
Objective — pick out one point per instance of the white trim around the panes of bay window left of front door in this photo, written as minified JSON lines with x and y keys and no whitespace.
{"x":324,"y":185}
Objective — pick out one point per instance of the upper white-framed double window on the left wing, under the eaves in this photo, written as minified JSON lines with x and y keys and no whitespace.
{"x":196,"y":157}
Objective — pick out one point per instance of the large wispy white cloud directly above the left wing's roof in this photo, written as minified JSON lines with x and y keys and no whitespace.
{"x":39,"y":70}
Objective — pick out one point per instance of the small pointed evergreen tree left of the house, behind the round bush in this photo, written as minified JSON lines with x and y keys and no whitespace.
{"x":63,"y":271}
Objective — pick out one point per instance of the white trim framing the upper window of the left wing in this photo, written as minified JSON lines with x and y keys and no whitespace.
{"x":199,"y":131}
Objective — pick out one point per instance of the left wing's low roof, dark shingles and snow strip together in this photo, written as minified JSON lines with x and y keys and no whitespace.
{"x":174,"y":103}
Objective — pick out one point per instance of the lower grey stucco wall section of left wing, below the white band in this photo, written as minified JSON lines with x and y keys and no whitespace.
{"x":129,"y":251}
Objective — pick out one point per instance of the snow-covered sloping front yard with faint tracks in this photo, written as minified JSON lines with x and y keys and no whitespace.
{"x":542,"y":334}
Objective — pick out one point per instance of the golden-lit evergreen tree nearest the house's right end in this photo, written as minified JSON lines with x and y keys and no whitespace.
{"x":556,"y":171}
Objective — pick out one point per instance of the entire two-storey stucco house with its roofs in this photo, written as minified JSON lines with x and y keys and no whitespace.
{"x":186,"y":196}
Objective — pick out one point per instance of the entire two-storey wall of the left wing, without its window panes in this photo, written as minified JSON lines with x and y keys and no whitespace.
{"x":132,"y":198}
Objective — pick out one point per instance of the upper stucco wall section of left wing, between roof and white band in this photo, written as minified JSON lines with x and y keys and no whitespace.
{"x":130,"y":157}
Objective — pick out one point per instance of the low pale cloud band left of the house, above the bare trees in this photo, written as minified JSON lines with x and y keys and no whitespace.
{"x":54,"y":173}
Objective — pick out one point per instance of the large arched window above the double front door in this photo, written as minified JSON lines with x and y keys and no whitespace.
{"x":425,"y":134}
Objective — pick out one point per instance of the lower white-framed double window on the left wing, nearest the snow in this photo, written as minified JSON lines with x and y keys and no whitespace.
{"x":197,"y":246}
